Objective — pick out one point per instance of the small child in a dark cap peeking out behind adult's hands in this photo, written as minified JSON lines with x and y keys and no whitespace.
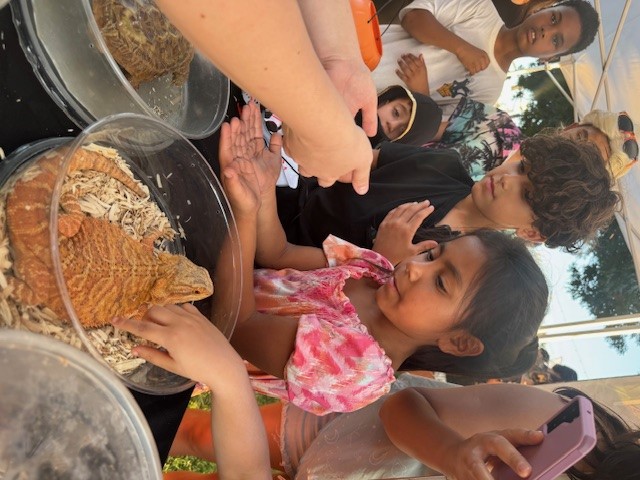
{"x":403,"y":116}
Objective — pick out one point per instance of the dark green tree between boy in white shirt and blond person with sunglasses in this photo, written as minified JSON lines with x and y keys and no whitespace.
{"x":549,"y":108}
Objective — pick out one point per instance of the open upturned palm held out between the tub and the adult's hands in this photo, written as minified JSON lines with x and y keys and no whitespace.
{"x":249,"y":169}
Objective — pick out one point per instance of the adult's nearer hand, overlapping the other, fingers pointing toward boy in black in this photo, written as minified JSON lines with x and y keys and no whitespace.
{"x":351,"y":145}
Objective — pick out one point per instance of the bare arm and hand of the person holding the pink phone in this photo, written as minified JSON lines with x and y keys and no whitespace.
{"x":457,"y":430}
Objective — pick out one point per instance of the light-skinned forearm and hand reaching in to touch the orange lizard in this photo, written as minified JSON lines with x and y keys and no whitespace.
{"x":196,"y":349}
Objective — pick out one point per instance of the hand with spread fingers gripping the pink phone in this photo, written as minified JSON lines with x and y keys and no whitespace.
{"x":472,"y":458}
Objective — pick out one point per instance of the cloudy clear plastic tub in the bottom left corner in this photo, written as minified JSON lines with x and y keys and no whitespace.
{"x":62,"y":415}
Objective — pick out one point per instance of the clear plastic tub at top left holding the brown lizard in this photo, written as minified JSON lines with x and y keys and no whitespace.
{"x":68,"y":54}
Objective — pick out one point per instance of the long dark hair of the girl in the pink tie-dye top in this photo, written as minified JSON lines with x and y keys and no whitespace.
{"x":504,"y":308}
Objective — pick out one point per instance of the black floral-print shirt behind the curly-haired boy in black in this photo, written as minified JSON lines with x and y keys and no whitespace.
{"x":482,"y":134}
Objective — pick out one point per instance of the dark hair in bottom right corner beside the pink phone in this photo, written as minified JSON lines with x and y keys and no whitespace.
{"x":616,"y":456}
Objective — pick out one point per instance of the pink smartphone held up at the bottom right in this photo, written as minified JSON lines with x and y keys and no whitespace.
{"x":568,"y":436}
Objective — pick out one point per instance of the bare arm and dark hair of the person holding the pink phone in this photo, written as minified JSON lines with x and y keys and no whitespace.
{"x":443,"y":428}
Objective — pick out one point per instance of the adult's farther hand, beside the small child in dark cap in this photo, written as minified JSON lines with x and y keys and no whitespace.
{"x":353,"y":80}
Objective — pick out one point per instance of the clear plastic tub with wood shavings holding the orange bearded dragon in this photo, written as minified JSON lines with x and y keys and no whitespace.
{"x":180,"y":183}
